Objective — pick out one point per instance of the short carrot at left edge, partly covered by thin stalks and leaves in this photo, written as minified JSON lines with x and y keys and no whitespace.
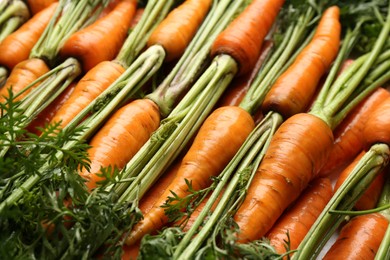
{"x":21,"y":76}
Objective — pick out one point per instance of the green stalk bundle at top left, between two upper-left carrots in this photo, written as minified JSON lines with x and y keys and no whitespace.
{"x":70,"y":17}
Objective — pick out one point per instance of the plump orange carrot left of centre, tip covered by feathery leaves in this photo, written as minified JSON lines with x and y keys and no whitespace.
{"x":121,"y":137}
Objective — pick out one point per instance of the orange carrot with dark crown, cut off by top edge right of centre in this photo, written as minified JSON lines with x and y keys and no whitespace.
{"x":243,"y":38}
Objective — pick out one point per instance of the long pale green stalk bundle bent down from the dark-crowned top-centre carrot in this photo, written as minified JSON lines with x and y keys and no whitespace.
{"x":186,"y":118}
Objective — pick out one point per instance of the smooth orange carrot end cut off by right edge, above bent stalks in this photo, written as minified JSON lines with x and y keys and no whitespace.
{"x":377,"y":128}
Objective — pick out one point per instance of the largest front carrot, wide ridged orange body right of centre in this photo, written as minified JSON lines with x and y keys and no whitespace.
{"x":296,"y":153}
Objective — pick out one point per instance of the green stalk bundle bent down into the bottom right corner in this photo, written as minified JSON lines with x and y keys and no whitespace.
{"x":344,"y":198}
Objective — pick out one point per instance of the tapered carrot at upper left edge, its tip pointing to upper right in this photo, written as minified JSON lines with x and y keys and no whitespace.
{"x":18,"y":45}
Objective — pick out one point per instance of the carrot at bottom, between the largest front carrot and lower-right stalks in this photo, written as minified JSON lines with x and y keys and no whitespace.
{"x":301,"y":216}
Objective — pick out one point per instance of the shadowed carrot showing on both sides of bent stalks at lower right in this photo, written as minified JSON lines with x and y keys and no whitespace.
{"x":371,"y":196}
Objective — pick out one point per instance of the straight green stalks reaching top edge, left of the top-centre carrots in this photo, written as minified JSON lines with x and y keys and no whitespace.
{"x":155,"y":12}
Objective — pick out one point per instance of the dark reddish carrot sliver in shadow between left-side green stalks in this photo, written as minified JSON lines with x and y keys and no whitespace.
{"x":48,"y":113}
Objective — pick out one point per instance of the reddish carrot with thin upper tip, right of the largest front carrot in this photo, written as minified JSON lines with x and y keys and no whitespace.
{"x":348,"y":135}
